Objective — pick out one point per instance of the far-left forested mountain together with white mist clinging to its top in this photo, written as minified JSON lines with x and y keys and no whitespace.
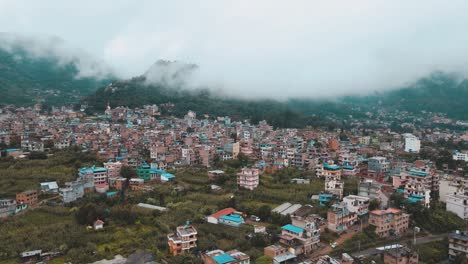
{"x":32,"y":74}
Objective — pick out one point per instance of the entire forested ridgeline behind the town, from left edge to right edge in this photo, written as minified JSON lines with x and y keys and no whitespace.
{"x":26,"y":80}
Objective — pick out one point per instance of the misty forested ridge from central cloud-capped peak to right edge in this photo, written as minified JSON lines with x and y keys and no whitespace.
{"x":439,"y":92}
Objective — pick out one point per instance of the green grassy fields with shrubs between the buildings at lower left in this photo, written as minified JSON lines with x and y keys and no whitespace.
{"x":189,"y":197}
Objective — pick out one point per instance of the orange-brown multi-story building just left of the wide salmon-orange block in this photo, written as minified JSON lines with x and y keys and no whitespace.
{"x":340,"y":218}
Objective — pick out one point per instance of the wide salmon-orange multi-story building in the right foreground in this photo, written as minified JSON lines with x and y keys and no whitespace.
{"x":389,"y":221}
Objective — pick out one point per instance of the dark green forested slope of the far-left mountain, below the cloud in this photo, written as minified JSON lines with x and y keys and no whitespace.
{"x":26,"y":79}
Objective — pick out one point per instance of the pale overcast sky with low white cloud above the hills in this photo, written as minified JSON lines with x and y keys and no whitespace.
{"x":262,"y":48}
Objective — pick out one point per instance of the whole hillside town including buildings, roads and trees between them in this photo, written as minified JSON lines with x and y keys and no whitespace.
{"x":370,"y":182}
